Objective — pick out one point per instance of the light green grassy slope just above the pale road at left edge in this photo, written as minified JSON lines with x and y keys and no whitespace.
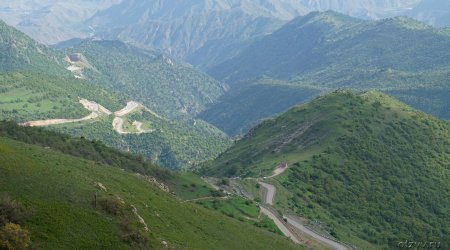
{"x":33,"y":96}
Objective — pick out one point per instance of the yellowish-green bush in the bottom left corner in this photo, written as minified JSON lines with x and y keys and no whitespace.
{"x":13,"y":236}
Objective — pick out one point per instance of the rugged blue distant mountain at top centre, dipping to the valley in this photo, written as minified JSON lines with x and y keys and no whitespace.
{"x":208,"y":32}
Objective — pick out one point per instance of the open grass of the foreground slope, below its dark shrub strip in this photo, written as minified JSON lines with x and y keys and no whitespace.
{"x":59,"y":189}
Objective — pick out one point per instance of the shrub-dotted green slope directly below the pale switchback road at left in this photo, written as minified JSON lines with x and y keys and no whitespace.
{"x":173,"y":144}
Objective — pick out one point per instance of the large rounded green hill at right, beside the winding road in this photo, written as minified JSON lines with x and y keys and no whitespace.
{"x":370,"y":169}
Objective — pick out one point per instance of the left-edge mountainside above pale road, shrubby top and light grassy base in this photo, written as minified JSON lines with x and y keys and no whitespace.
{"x":36,"y":84}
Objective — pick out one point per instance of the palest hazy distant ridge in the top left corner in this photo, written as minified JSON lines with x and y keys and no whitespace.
{"x":52,"y":21}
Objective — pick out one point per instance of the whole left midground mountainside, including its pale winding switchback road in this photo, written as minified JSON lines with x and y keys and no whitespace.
{"x":80,"y":95}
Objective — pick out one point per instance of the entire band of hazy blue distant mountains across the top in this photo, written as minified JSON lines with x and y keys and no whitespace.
{"x":194,"y":30}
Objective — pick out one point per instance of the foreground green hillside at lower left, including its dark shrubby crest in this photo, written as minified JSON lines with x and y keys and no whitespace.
{"x":66,"y":202}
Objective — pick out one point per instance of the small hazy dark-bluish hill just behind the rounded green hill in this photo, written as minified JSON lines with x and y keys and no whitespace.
{"x":241,"y":108}
